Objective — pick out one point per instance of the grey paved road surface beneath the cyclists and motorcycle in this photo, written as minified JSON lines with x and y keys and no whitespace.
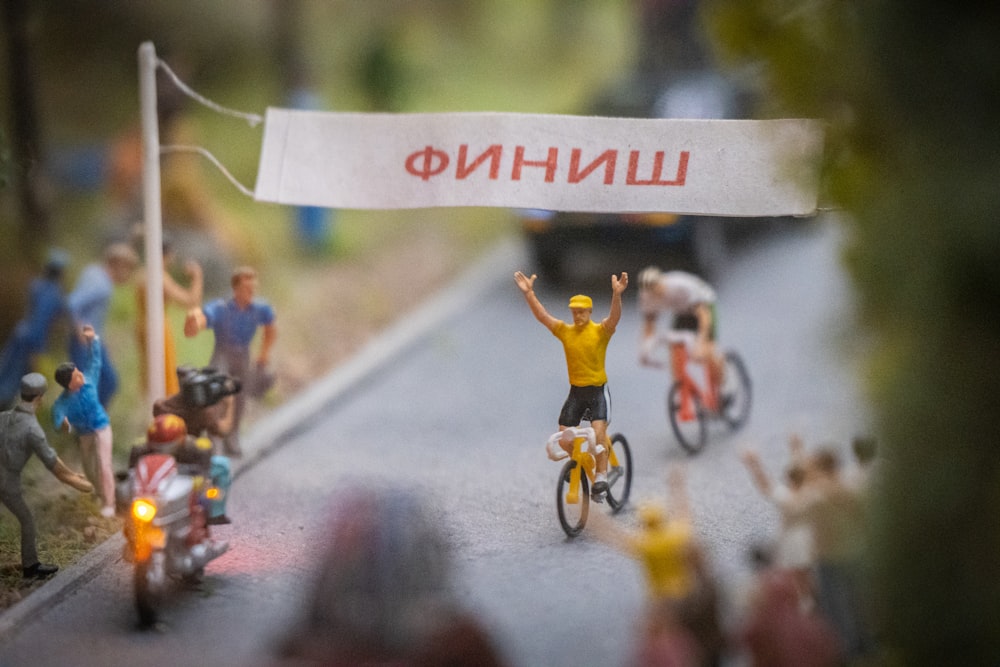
{"x":461,"y":414}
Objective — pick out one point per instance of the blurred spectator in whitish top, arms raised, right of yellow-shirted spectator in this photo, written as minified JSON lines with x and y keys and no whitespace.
{"x":794,"y":546}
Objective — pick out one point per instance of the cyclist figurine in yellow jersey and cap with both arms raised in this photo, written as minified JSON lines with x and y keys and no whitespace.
{"x":585,"y":343}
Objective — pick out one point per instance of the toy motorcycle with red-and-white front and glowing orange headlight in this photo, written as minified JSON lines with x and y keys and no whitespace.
{"x":165,"y":527}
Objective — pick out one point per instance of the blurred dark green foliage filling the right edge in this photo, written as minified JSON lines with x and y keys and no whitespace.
{"x":911,"y":92}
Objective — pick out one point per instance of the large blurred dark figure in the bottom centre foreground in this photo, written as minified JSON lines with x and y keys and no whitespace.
{"x":381,"y":593}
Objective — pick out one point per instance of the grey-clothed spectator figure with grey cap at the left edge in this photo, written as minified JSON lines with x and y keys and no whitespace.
{"x":21,"y":436}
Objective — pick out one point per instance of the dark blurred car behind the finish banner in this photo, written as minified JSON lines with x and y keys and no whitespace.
{"x":567,"y":244}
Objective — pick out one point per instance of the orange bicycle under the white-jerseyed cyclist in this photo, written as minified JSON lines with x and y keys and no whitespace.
{"x":691,"y":405}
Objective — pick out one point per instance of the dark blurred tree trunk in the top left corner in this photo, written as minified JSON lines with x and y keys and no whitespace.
{"x":26,"y":145}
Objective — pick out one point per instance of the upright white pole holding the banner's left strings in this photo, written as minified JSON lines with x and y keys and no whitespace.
{"x":153,"y":224}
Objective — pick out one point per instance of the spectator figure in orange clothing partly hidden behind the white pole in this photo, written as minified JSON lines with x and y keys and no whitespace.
{"x":173,"y":292}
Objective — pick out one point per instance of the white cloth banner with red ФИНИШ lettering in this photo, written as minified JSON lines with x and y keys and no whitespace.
{"x":568,"y":163}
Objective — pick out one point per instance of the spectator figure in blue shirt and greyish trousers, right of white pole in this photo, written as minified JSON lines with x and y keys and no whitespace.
{"x":235,"y":322}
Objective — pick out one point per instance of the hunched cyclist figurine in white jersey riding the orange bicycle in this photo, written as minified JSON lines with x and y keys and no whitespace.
{"x":692,"y":302}
